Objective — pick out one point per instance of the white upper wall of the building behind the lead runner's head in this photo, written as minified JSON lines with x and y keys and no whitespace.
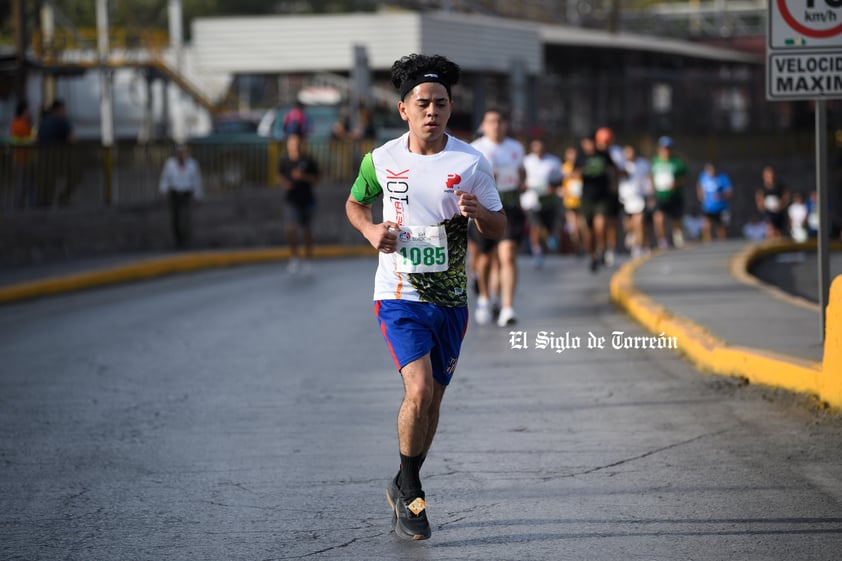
{"x":284,"y":44}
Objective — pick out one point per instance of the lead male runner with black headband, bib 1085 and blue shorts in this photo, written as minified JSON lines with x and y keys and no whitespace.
{"x":431,"y":184}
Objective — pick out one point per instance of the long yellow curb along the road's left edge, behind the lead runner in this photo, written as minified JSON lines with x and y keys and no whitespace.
{"x":156,"y":267}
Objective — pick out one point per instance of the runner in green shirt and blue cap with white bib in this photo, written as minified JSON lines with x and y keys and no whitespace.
{"x":669,"y":174}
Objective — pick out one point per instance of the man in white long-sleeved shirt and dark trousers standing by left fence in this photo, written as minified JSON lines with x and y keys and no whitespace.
{"x":181,"y":183}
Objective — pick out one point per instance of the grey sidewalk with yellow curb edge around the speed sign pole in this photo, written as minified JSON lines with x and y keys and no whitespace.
{"x":729,"y":323}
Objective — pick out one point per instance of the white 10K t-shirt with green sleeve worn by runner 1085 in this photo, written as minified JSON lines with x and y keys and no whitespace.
{"x":418,"y":194}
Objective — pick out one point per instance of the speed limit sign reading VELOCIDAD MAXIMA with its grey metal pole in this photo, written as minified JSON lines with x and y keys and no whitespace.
{"x":804,"y":62}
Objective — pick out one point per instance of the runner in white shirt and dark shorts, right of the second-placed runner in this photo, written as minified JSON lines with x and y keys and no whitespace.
{"x":539,"y":200}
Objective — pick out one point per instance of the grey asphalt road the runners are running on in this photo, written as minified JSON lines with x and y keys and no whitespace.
{"x":244,"y":414}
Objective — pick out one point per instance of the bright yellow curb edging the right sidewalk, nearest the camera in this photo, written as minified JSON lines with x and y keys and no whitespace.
{"x":714,"y":355}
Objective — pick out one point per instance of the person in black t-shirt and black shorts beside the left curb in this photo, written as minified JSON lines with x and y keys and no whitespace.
{"x":298,"y":172}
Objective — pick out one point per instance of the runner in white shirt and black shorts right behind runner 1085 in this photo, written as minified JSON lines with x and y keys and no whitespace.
{"x":500,"y":259}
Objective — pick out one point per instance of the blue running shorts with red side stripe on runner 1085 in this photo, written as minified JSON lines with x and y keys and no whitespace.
{"x":413,"y":329}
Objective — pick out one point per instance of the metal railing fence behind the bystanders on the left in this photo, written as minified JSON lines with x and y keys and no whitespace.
{"x":86,"y":175}
